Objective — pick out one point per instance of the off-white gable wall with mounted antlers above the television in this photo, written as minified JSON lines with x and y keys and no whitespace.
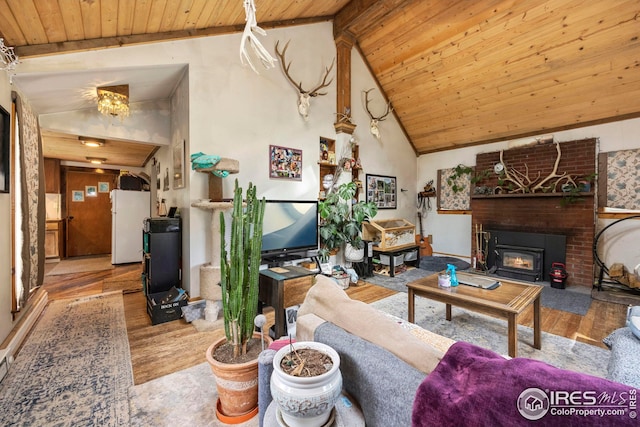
{"x":234,"y":112}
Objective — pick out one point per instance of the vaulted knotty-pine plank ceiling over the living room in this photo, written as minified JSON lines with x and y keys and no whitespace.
{"x":457,"y":73}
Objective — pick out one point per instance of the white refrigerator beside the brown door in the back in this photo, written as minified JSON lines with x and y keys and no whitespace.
{"x":128,"y":211}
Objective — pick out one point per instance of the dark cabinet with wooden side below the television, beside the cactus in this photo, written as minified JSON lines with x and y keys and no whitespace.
{"x":283,"y":287}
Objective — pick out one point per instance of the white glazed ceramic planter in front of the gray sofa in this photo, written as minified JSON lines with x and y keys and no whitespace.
{"x":306,"y":401}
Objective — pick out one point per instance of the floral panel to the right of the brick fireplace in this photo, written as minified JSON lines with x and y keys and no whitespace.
{"x":623,"y":175}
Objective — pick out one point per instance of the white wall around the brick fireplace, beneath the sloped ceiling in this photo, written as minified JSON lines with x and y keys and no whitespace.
{"x":452,"y":233}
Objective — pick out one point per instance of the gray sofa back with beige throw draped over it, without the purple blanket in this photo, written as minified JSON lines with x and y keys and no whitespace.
{"x":380,"y":380}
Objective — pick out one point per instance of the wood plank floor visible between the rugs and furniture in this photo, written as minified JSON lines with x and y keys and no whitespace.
{"x":169,"y":347}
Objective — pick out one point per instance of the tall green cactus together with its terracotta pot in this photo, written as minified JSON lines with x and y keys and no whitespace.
{"x":234,"y":357}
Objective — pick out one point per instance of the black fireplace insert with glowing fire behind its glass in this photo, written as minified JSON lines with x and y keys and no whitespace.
{"x":519,"y":262}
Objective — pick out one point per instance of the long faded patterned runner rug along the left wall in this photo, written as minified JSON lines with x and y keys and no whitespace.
{"x":74,"y":368}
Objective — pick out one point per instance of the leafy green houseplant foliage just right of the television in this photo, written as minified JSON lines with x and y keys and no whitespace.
{"x":341,"y":219}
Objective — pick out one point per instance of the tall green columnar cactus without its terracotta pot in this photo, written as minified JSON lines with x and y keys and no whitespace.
{"x":240,"y":268}
